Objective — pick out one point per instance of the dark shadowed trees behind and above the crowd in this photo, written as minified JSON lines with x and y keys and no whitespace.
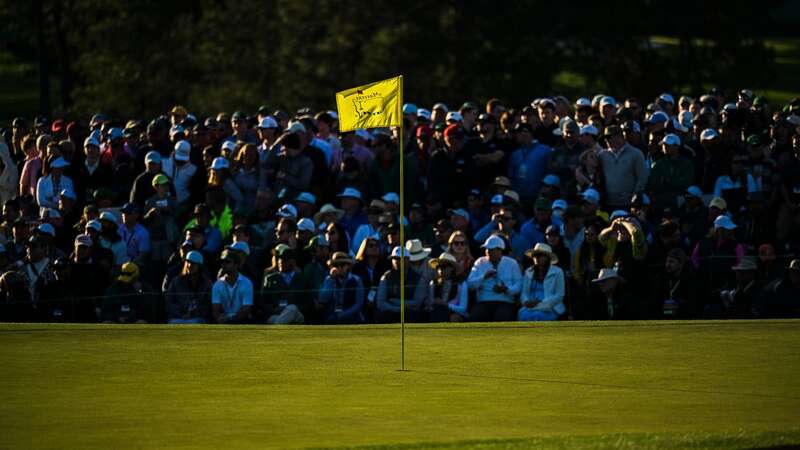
{"x":138,"y":57}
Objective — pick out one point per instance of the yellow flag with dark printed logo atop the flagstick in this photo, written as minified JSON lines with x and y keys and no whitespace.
{"x":373,"y":105}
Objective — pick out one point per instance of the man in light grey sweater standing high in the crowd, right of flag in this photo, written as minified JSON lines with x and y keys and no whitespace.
{"x":623,"y":168}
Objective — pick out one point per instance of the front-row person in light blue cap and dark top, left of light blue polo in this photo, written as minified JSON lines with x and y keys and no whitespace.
{"x":188,"y":296}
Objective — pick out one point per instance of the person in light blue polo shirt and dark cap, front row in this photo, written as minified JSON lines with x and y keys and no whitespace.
{"x":232,"y":293}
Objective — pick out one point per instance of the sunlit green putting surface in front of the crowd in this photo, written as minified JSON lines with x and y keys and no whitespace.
{"x":563,"y":385}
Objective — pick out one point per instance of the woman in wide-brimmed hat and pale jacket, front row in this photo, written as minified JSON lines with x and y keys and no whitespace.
{"x":542,"y":294}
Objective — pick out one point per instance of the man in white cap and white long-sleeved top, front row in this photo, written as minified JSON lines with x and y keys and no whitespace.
{"x":497,"y":280}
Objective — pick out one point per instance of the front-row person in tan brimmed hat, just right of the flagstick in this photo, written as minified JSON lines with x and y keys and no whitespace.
{"x":449,"y":296}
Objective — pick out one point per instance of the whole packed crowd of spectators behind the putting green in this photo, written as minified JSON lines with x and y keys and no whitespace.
{"x":593,"y":209}
